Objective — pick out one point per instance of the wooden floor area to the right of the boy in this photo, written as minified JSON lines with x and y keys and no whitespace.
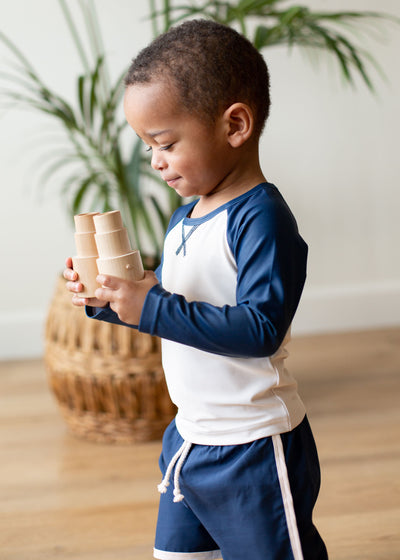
{"x":351,"y":386}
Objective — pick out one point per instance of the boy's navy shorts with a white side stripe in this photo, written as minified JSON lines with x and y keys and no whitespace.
{"x":251,"y":501}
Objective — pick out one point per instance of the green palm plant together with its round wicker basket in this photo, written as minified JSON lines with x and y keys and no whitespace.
{"x":108,"y":380}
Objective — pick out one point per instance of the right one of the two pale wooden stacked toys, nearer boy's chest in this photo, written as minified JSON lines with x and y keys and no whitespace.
{"x":116,"y":257}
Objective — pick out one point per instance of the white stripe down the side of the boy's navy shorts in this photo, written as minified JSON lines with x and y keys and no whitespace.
{"x":287,"y":498}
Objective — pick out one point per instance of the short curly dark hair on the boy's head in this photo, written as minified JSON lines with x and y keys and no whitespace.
{"x":211,"y":65}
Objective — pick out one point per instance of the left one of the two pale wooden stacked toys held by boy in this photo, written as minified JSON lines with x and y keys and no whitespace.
{"x":85,"y":262}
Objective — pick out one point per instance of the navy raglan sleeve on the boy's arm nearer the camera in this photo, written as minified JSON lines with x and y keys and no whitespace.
{"x":271,"y":269}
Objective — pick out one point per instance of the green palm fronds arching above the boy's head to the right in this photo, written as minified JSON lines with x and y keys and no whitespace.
{"x":277,"y":24}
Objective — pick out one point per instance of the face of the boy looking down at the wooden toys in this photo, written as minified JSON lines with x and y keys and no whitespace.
{"x":193,"y":157}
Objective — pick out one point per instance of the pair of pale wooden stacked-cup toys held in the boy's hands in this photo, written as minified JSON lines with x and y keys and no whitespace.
{"x":103,"y":246}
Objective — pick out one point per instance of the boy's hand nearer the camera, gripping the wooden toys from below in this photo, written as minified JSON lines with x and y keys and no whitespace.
{"x":125,"y":297}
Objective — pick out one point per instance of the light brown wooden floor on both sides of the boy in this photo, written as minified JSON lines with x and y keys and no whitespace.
{"x":63,"y":498}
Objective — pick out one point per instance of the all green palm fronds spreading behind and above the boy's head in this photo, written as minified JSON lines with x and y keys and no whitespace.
{"x":91,"y":171}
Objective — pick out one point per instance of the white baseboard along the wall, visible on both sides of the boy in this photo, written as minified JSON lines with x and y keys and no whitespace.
{"x":321,"y":310}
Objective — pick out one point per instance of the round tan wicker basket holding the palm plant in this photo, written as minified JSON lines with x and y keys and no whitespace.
{"x":107,"y":379}
